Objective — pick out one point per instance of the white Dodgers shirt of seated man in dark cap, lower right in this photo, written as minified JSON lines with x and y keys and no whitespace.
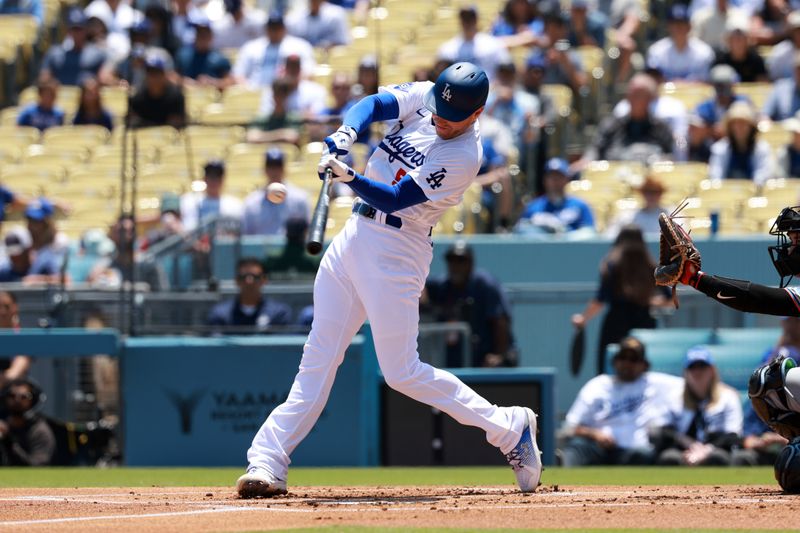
{"x":625,"y":411}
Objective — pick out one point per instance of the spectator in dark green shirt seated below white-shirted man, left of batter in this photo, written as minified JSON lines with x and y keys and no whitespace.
{"x":281,"y":124}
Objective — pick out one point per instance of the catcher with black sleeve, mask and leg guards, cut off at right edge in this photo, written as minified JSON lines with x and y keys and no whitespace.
{"x":774,"y":388}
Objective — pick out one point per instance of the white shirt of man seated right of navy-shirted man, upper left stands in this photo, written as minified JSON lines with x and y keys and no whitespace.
{"x":258,"y":60}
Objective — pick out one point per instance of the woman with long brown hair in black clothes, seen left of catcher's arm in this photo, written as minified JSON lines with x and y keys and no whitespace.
{"x":626,"y":289}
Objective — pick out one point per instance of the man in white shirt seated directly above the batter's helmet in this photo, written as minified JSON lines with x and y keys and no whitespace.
{"x":473,"y":45}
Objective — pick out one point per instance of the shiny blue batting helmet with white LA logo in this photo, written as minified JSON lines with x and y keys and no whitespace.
{"x":460,"y":90}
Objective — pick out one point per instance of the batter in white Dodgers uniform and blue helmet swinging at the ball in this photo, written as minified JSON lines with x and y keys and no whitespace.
{"x":376,"y":267}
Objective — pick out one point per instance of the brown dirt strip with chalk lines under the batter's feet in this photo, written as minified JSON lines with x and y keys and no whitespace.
{"x":217,"y":509}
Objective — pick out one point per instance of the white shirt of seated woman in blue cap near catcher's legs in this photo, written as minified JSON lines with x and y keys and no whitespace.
{"x":724,"y":416}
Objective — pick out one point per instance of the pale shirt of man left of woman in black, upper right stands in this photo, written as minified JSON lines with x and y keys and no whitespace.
{"x":690,"y":64}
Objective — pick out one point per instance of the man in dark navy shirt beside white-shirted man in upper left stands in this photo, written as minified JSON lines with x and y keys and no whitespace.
{"x":200,"y":63}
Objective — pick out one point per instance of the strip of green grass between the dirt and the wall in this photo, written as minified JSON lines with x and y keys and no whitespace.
{"x":187,"y":477}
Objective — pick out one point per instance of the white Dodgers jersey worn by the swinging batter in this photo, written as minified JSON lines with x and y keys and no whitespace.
{"x":443,"y":169}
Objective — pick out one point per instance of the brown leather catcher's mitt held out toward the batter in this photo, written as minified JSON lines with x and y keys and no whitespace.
{"x":679,"y":259}
